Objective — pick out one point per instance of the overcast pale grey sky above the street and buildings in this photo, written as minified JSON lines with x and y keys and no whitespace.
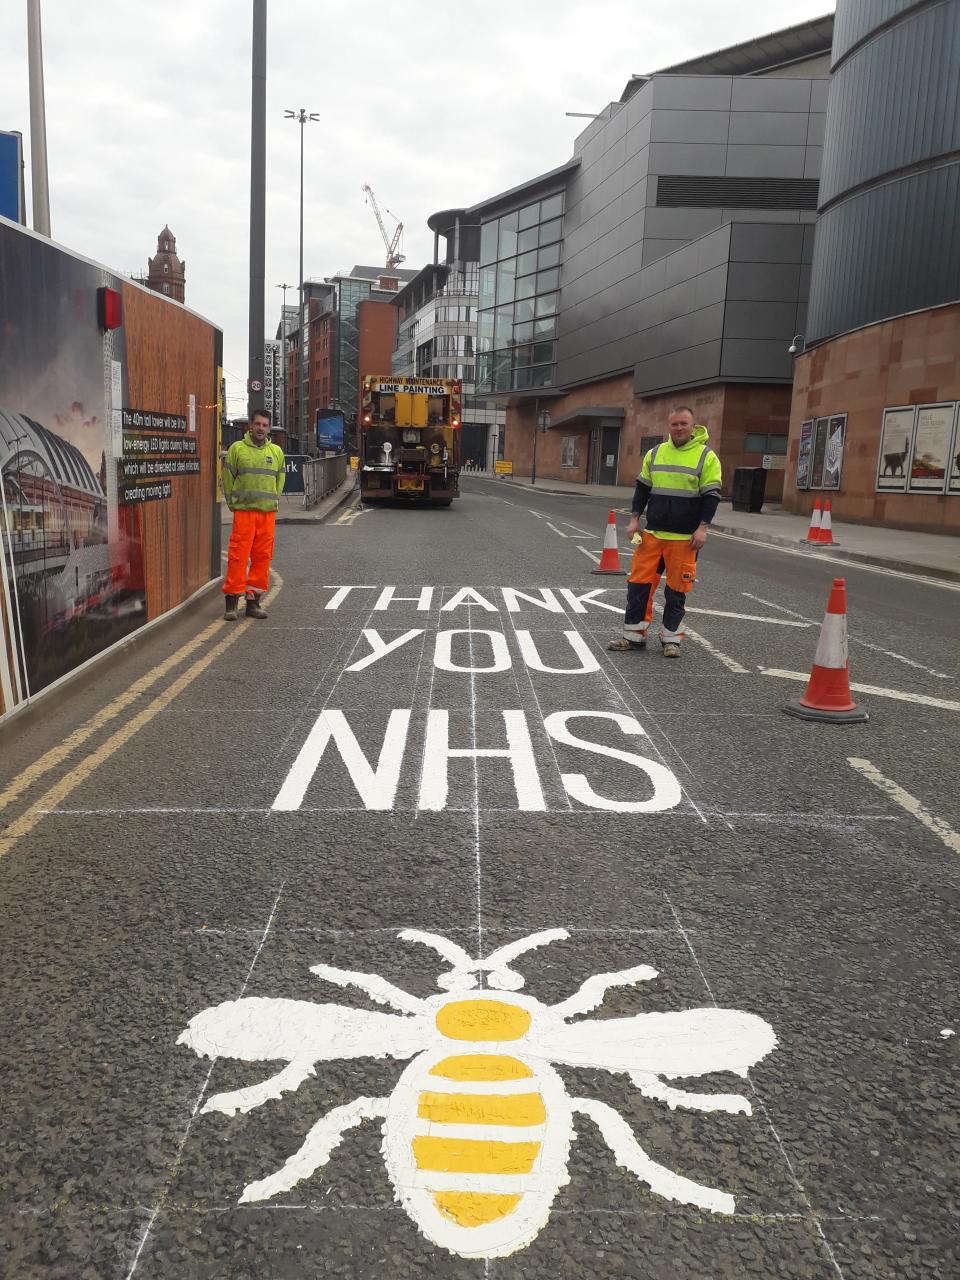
{"x":433,"y":106}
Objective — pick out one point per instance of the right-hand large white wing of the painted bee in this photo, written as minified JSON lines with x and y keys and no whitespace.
{"x":684,"y":1044}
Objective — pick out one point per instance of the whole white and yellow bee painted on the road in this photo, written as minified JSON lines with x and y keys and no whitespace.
{"x":477,"y":1132}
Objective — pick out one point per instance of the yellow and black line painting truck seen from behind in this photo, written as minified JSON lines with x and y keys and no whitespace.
{"x":410,"y":432}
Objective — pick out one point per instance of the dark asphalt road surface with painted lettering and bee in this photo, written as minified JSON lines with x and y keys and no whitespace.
{"x":213,"y":853}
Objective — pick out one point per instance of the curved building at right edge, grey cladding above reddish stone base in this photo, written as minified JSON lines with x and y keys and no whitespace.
{"x":875,"y":414}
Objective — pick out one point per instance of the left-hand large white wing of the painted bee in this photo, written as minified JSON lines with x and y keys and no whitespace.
{"x":258,"y":1028}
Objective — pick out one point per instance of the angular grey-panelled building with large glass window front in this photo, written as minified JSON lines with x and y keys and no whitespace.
{"x":671,"y":250}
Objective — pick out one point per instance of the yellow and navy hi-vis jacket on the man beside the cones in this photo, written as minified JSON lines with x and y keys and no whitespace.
{"x":679,"y":487}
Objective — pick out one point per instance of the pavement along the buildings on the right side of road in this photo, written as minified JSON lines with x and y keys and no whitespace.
{"x":930,"y":555}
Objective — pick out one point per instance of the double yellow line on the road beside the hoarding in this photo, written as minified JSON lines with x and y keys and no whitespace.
{"x":58,"y":793}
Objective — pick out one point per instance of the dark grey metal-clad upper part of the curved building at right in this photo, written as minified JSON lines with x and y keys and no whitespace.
{"x":889,"y":234}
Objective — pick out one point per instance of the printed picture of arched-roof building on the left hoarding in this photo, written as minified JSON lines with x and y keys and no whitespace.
{"x":75,"y":574}
